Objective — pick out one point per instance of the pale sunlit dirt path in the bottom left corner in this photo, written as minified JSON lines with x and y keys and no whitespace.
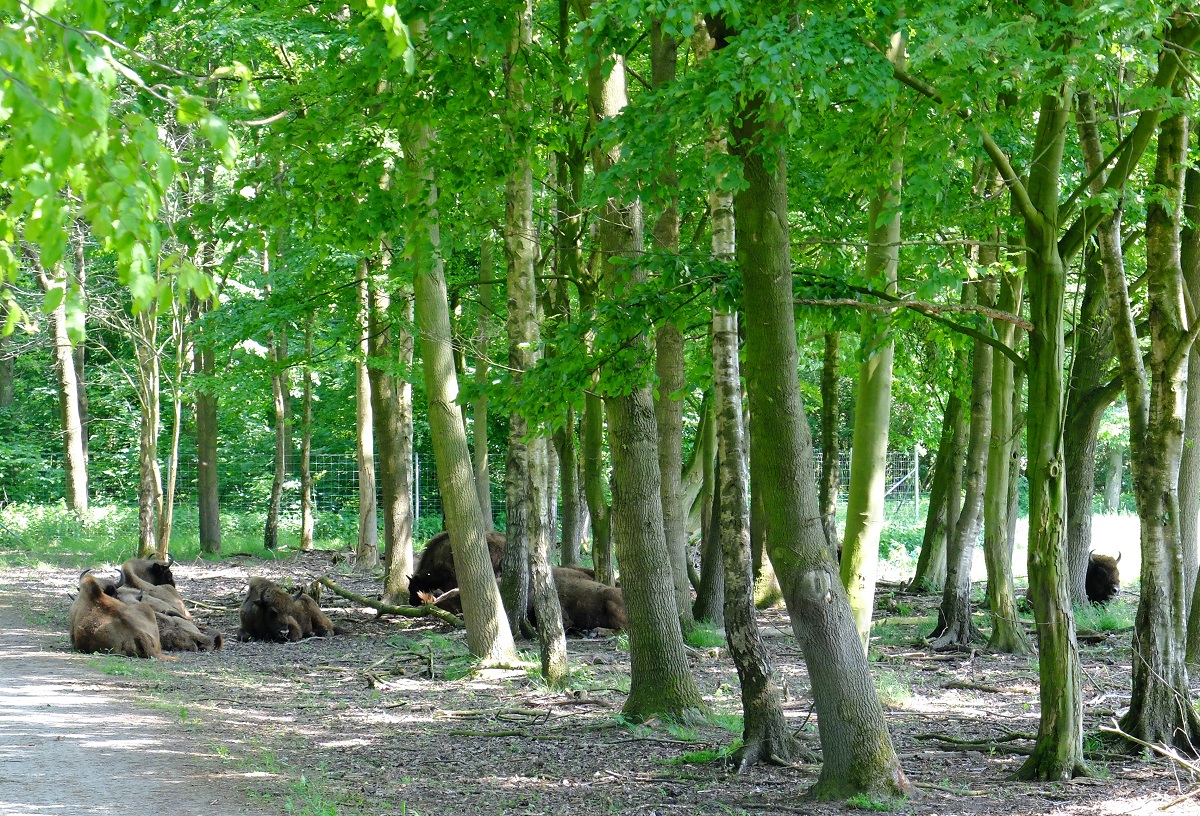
{"x":75,"y":742}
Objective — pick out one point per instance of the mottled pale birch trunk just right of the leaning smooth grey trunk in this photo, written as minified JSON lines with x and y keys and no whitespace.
{"x":527,"y":460}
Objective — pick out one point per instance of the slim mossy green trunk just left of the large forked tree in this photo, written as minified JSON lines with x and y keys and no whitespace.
{"x":1007,"y":633}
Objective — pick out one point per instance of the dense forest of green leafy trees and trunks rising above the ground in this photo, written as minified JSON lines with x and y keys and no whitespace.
{"x":692,"y":296}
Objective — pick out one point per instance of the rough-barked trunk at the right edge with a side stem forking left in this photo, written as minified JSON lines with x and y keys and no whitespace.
{"x":1161,"y":709}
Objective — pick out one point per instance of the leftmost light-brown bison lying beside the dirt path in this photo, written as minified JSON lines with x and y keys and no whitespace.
{"x":101,"y":622}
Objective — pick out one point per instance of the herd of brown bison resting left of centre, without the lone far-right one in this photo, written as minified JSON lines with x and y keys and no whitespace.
{"x":140,"y":613}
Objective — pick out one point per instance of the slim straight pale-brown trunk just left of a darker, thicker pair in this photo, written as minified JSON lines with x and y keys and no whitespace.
{"x":368,"y":549}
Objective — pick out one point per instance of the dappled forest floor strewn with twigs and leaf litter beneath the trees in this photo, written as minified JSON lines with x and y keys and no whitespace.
{"x":388,"y":719}
